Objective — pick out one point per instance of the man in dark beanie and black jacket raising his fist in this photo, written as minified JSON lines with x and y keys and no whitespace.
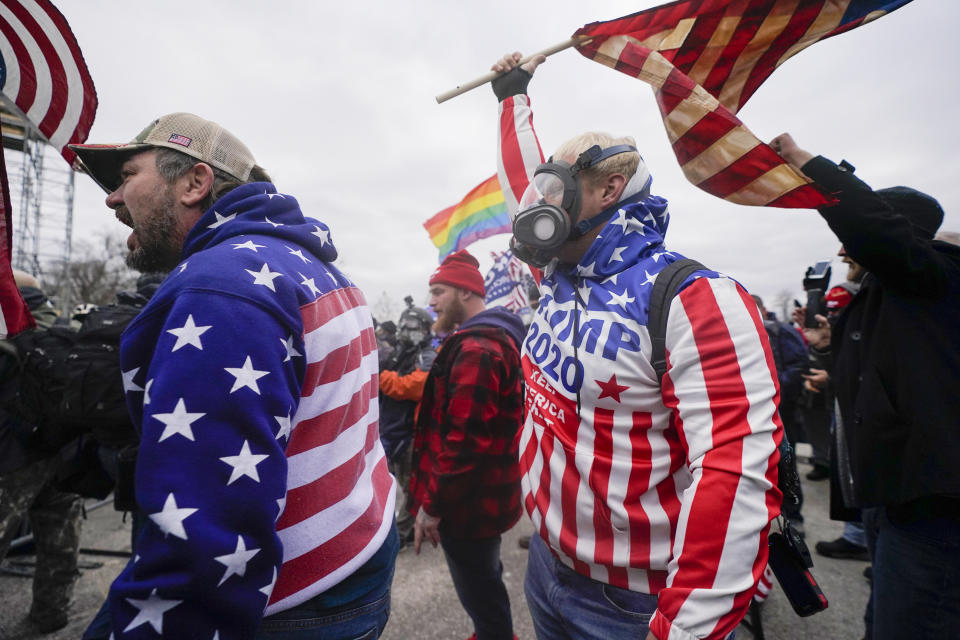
{"x":896,"y":370}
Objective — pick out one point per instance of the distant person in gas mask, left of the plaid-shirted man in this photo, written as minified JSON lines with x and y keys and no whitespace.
{"x":402,"y":377}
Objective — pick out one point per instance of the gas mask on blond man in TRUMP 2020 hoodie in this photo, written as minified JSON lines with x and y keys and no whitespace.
{"x":550,"y":206}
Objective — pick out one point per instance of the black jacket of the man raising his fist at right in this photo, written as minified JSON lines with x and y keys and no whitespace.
{"x":896,"y":349}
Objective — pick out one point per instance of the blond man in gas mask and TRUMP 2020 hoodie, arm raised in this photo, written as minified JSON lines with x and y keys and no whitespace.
{"x":651,"y":501}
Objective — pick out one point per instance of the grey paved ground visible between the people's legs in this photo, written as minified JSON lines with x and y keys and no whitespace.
{"x":425,"y":605}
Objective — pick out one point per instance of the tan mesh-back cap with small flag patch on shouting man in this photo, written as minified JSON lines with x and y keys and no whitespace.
{"x":184,"y":132}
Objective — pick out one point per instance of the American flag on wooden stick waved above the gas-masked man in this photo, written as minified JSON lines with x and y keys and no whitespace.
{"x":704,"y":59}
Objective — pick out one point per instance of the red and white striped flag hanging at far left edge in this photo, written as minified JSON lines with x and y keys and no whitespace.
{"x":44,"y":78}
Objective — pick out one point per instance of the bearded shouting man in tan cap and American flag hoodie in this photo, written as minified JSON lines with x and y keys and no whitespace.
{"x":251,"y":377}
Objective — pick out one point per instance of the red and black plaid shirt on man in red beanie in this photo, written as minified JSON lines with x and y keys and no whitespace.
{"x":465,"y":449}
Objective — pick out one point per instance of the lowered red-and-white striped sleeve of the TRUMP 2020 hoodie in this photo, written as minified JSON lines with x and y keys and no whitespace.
{"x":722,"y":388}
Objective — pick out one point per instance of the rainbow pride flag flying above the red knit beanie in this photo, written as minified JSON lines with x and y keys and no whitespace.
{"x":481,"y":214}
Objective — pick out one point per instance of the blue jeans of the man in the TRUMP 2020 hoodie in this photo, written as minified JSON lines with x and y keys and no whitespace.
{"x":565,"y":605}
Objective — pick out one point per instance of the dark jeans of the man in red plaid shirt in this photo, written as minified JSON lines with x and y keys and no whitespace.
{"x":478,"y":578}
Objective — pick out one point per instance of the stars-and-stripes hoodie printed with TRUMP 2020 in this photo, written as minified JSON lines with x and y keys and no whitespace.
{"x":659,"y":489}
